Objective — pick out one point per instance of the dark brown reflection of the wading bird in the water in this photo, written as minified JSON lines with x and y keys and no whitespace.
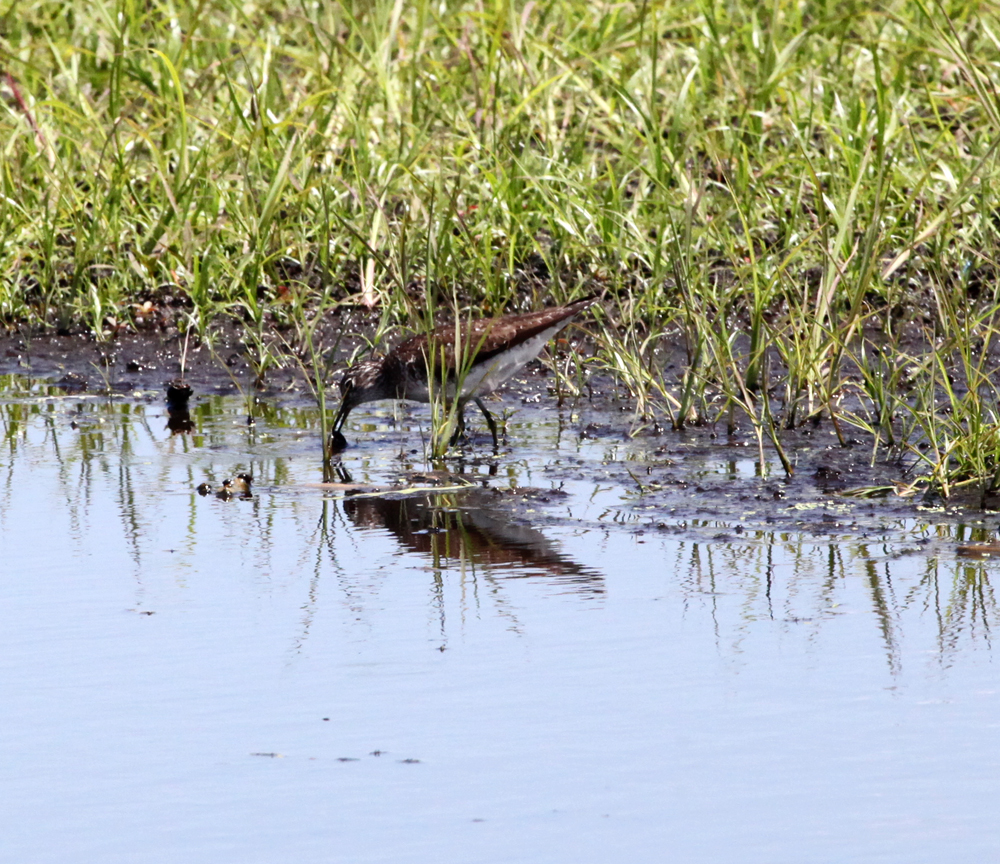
{"x":470,"y":528}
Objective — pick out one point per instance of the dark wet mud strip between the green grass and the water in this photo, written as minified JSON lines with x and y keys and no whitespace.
{"x":699,"y":480}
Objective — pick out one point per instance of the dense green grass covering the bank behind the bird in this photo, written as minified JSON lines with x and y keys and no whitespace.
{"x":797,"y":194}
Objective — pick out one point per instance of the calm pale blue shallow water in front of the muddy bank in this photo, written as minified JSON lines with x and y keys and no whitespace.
{"x":565,"y":676}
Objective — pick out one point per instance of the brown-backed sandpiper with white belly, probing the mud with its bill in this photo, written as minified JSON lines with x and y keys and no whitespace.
{"x":489,"y":352}
